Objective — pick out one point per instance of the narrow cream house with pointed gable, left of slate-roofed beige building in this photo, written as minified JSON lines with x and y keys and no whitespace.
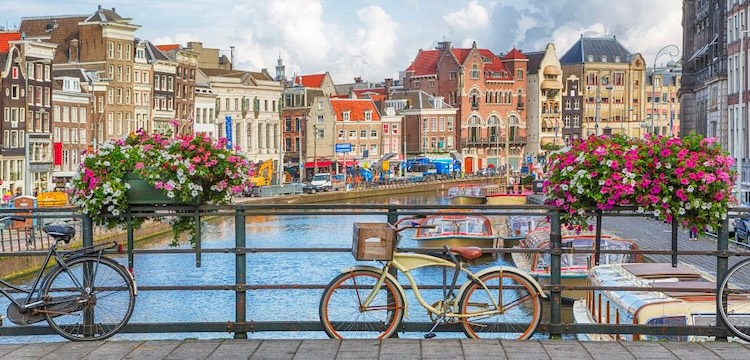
{"x":544,"y":89}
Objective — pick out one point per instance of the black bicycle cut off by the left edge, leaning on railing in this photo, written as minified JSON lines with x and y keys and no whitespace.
{"x":85,"y":296}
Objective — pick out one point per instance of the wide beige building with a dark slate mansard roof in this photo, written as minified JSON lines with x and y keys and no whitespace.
{"x":612,"y":84}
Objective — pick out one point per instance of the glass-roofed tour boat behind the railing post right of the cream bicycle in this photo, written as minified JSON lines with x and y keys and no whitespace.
{"x":575,"y":266}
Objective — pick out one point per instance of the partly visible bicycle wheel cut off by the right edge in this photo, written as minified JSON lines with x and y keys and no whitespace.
{"x":735,"y":288}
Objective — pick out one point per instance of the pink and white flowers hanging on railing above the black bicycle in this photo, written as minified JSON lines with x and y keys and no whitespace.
{"x":189,"y":168}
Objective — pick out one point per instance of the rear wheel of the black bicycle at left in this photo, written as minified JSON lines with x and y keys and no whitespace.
{"x":107,"y":298}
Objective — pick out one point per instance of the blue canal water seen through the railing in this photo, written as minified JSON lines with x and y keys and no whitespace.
{"x":262,"y":268}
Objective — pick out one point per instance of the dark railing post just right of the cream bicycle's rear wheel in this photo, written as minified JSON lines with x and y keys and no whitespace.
{"x":555,"y":275}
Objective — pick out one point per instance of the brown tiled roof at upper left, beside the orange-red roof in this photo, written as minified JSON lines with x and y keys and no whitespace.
{"x":59,"y":29}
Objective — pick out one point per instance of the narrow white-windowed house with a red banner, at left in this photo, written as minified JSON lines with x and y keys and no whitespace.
{"x":70,"y":121}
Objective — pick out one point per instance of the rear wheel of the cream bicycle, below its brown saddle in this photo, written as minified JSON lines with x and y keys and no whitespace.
{"x":520,"y":307}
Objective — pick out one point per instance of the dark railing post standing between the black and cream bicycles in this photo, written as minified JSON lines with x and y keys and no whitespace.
{"x":240,"y":264}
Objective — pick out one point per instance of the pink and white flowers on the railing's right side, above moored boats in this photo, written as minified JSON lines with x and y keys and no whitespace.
{"x":683,"y":179}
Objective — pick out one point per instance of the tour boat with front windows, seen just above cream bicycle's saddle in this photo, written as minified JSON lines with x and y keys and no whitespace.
{"x":455,"y":230}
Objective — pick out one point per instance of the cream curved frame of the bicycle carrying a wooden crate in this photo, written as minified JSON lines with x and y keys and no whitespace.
{"x":405,"y":262}
